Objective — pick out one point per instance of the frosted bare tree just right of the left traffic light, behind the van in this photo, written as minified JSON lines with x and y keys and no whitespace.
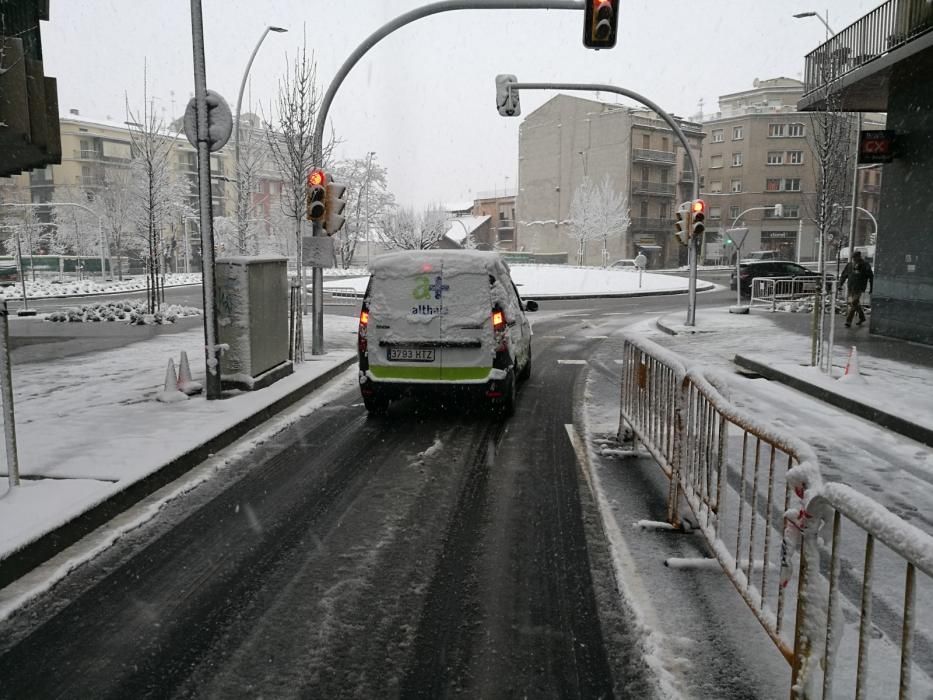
{"x":368,"y":201}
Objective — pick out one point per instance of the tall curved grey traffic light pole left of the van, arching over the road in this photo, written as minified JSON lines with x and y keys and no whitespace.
{"x":317,"y":273}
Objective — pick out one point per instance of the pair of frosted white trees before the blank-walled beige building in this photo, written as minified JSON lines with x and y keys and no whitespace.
{"x":598,"y":212}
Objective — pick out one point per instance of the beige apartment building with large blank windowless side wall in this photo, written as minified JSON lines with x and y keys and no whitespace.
{"x":568,"y":139}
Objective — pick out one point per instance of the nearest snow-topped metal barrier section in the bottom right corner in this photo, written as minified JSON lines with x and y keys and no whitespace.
{"x":856,"y":611}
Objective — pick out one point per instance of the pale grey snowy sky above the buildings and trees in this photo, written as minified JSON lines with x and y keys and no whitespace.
{"x":423,"y":99}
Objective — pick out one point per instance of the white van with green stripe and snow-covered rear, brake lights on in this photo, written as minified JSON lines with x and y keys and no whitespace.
{"x":442,"y":320}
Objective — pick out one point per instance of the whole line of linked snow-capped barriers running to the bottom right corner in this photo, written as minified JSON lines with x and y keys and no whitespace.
{"x":758,"y":498}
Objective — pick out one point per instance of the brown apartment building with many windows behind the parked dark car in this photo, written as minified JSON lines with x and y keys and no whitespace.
{"x":760,"y":153}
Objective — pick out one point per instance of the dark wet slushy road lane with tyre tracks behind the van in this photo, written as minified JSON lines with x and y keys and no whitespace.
{"x":422,"y":554}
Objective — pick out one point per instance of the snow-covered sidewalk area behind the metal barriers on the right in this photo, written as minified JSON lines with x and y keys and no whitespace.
{"x":880,"y":463}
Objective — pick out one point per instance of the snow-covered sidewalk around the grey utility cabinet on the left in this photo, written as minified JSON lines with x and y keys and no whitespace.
{"x":89,"y":426}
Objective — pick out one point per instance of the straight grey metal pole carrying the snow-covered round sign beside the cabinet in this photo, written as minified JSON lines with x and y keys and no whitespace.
{"x":211,"y":348}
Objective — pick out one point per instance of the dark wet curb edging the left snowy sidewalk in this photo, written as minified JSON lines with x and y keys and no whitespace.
{"x":51,"y":543}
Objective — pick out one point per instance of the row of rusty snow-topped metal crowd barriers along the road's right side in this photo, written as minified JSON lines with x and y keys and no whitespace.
{"x":759,"y":501}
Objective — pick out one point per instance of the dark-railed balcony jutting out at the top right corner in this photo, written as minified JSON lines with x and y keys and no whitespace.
{"x":855,"y":65}
